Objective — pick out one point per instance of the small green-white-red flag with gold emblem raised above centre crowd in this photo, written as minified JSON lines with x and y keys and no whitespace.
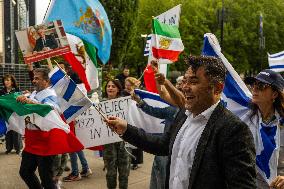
{"x":166,"y":41}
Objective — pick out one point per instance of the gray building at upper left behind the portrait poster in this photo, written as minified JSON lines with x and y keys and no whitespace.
{"x":14,"y":15}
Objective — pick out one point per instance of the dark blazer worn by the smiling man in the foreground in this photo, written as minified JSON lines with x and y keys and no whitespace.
{"x":225,"y":155}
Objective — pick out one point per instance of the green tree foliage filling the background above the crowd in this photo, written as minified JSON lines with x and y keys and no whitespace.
{"x":241,"y":29}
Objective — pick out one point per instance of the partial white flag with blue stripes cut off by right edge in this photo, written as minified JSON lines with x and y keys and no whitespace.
{"x":276,"y":61}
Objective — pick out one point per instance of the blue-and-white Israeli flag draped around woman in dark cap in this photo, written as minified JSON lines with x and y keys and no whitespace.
{"x":236,"y":98}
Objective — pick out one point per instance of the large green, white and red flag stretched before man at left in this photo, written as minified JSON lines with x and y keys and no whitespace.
{"x":45,"y":132}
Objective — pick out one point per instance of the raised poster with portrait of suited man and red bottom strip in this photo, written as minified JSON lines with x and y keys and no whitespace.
{"x":43,"y":41}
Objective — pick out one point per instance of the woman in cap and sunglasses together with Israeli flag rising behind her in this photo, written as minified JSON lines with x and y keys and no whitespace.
{"x":262,"y":111}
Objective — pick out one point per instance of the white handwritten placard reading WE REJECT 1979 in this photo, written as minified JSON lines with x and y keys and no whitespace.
{"x":90,"y":128}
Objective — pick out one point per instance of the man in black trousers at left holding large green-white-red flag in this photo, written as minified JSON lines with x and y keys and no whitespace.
{"x":30,"y":157}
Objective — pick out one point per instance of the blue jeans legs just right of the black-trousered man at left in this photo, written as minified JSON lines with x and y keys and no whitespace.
{"x":74,"y":164}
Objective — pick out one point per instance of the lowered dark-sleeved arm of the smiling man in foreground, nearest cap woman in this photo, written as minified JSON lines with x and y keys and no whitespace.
{"x":237,"y":154}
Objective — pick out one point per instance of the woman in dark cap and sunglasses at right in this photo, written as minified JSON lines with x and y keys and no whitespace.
{"x":267,"y":109}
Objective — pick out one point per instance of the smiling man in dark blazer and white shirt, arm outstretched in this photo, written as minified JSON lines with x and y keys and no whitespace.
{"x":208,"y":147}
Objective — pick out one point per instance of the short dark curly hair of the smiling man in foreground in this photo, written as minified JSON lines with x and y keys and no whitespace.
{"x":214,"y":68}
